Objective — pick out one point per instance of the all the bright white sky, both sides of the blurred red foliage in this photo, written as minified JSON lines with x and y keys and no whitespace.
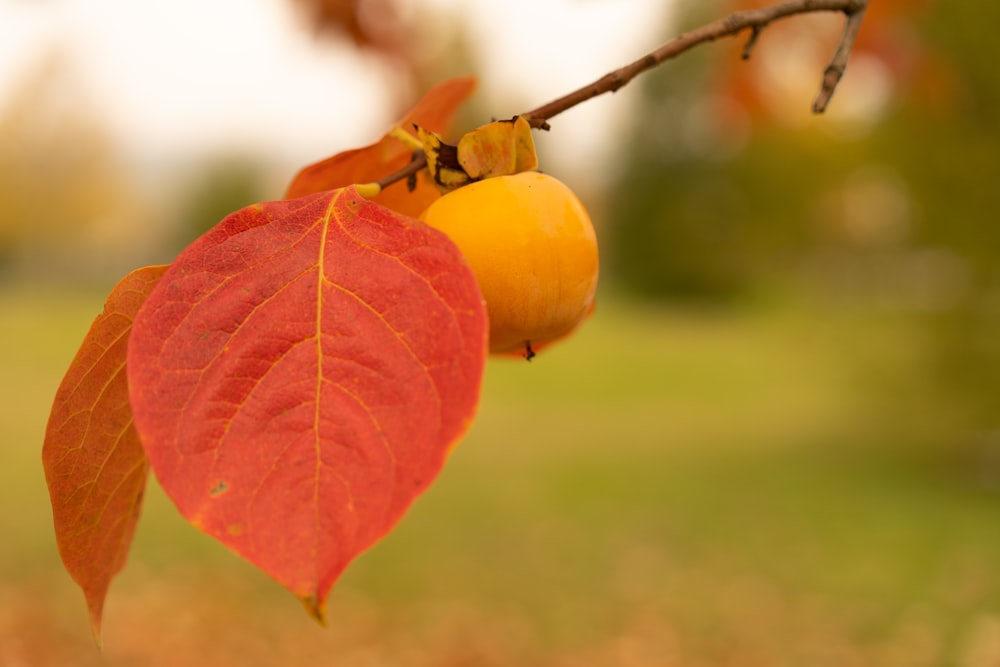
{"x":176,"y":78}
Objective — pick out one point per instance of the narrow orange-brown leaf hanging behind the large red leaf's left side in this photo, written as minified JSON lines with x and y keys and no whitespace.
{"x":94,"y":465}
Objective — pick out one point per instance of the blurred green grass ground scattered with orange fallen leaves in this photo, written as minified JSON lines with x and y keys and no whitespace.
{"x":665,"y":488}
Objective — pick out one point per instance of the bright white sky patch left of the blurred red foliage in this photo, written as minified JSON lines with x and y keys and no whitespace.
{"x":186,"y":76}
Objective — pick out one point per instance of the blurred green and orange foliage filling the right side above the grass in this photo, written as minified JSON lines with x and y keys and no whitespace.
{"x":726,"y":196}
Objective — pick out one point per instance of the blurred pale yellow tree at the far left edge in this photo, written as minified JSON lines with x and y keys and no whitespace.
{"x":67,"y":204}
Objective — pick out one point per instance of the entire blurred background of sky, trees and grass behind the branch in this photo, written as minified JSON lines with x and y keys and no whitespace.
{"x":777,"y":442}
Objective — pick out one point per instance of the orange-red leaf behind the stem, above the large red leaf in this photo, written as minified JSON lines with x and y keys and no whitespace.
{"x":364,"y":165}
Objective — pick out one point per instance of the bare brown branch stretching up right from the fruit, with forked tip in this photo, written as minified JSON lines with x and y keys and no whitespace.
{"x":753,"y":19}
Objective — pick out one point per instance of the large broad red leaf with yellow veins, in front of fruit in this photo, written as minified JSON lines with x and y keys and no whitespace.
{"x":299,"y":376}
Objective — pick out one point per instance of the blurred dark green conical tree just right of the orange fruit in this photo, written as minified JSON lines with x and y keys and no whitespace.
{"x":681,"y":220}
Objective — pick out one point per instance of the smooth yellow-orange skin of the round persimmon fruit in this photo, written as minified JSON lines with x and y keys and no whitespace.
{"x":533,"y":249}
